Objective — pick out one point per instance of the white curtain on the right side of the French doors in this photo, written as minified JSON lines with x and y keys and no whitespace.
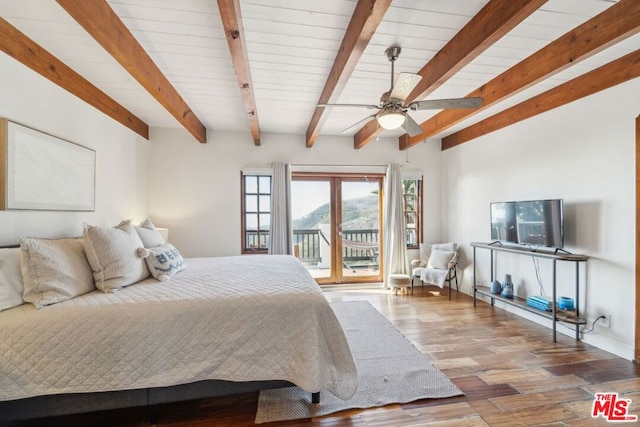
{"x":396,"y":259}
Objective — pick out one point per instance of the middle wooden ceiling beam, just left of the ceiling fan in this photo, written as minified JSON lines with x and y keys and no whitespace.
{"x":365,"y":20}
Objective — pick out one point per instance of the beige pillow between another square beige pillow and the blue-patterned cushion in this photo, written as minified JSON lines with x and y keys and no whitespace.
{"x":112,"y":254}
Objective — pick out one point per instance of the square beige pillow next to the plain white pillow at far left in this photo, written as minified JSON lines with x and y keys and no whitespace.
{"x":54,"y":270}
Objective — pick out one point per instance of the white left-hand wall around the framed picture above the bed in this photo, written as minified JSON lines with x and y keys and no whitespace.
{"x":121,"y":176}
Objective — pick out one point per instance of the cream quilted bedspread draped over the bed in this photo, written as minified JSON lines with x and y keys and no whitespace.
{"x":245,"y":318}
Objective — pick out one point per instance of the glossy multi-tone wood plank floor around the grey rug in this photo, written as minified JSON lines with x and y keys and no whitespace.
{"x":511,"y":372}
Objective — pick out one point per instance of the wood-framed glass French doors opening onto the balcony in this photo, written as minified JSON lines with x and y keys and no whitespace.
{"x":337,"y":226}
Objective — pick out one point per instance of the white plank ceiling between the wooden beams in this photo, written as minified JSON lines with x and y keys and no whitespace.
{"x":292,"y":45}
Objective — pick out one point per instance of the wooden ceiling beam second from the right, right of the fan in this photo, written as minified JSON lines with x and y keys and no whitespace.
{"x":618,"y":22}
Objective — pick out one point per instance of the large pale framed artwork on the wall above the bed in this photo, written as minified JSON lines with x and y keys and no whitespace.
{"x":42,"y":172}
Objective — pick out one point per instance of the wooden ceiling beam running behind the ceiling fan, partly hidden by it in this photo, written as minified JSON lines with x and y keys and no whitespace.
{"x":494,"y":20}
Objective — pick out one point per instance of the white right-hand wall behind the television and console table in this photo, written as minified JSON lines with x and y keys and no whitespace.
{"x":584,"y":153}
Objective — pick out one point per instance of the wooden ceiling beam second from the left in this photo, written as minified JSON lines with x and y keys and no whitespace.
{"x":101,"y":22}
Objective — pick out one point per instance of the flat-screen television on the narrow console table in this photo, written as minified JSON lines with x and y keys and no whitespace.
{"x":529,"y":222}
